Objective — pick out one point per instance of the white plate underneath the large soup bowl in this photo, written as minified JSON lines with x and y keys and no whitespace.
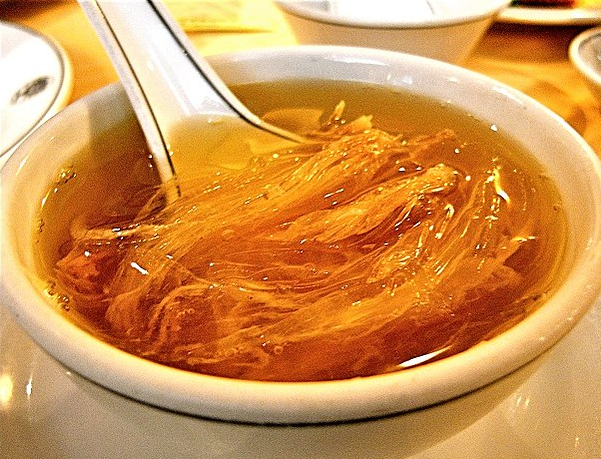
{"x":49,"y":412}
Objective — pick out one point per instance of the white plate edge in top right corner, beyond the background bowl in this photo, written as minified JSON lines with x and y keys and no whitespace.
{"x":550,"y":16}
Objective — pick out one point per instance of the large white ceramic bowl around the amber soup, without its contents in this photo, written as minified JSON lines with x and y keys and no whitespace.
{"x":436,"y":399}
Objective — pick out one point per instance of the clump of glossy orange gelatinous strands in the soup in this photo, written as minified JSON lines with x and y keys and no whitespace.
{"x":349,"y":256}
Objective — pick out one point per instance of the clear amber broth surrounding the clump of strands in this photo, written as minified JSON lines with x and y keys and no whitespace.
{"x":115,"y":185}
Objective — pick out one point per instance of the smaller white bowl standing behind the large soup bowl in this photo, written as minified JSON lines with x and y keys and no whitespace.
{"x":448,"y":30}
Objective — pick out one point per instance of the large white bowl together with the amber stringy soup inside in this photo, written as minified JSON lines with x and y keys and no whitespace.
{"x":438,"y":233}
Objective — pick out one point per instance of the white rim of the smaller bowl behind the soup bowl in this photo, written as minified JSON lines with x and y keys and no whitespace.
{"x":493,"y":8}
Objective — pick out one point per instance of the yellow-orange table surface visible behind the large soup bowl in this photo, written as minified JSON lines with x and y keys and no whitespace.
{"x":532,"y":59}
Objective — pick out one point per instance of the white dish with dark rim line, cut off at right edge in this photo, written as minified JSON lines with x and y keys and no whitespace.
{"x":585,"y":54}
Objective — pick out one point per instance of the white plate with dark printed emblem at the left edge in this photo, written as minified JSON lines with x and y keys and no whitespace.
{"x":36,"y":82}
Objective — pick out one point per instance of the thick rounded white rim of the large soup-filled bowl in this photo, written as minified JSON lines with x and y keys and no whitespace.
{"x":298,"y":403}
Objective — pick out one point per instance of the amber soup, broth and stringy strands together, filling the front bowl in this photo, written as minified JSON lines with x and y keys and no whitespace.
{"x":382,"y":245}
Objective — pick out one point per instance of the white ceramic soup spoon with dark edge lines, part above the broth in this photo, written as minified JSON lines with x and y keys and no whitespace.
{"x":167,"y":82}
